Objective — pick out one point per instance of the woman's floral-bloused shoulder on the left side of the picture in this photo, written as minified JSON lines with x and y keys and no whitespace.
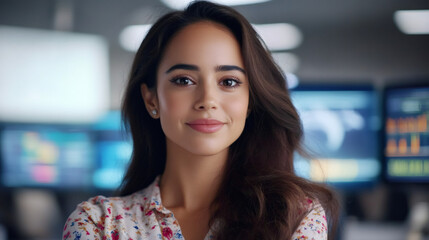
{"x":102,"y":215}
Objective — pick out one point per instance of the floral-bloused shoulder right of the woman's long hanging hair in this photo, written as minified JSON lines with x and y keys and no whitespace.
{"x":314,"y":225}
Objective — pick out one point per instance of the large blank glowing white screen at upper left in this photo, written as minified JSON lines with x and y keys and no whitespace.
{"x":64,"y":76}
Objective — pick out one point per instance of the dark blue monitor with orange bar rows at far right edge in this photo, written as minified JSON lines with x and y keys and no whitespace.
{"x":407,"y":134}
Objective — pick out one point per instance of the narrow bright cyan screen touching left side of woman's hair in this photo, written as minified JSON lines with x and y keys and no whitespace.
{"x":114,"y":150}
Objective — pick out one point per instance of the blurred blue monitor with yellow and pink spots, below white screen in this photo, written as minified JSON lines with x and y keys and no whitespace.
{"x":35,"y":156}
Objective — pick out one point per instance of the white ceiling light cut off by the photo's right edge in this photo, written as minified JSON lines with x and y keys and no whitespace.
{"x":412,"y":21}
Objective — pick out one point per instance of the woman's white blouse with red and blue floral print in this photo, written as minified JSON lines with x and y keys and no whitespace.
{"x":141,"y":216}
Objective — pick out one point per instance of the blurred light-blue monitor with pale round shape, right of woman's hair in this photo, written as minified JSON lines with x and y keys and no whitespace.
{"x":341,"y":129}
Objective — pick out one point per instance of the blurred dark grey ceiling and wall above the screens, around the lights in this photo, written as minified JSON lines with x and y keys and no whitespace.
{"x":344,"y":41}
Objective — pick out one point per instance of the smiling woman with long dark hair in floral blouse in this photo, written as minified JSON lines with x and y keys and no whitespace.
{"x":214,"y":133}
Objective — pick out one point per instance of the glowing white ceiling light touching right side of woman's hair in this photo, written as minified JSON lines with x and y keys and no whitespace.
{"x":279,"y":36}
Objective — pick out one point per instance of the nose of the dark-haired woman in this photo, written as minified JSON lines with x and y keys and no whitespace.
{"x":206,"y":97}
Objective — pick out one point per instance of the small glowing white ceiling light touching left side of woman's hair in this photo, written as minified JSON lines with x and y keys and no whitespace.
{"x":132,"y":36}
